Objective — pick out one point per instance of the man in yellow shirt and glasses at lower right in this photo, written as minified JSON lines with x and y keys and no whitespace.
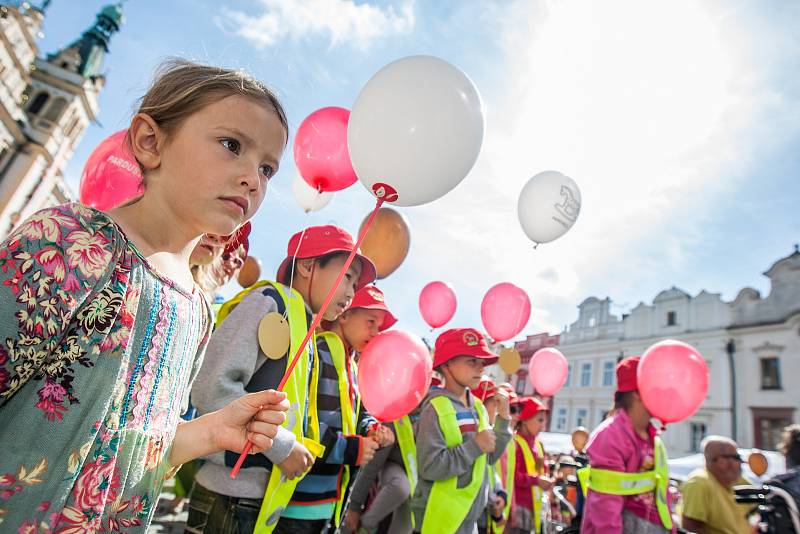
{"x":709,"y":506}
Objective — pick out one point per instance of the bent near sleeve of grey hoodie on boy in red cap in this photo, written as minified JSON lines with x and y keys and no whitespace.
{"x":436,"y":461}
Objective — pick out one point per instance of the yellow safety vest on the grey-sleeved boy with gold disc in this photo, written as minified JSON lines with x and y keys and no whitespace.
{"x":279,"y":490}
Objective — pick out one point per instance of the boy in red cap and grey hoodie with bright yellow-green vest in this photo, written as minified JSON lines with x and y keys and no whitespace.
{"x":455,"y":440}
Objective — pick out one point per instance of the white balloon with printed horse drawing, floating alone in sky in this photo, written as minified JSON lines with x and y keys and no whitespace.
{"x":548,"y":206}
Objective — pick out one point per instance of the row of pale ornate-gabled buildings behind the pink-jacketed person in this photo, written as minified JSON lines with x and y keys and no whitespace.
{"x":761,"y":337}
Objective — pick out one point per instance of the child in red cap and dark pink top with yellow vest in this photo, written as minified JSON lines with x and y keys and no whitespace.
{"x":529,"y":473}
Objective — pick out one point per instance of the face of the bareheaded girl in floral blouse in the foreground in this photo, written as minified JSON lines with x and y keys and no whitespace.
{"x":214,"y":169}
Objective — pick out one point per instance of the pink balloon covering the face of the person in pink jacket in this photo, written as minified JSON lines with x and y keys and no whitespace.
{"x":673,"y":380}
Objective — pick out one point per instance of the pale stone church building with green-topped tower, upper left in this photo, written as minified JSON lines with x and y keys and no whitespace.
{"x":46,"y":104}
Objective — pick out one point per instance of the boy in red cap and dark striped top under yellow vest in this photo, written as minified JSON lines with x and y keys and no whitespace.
{"x":349,"y":434}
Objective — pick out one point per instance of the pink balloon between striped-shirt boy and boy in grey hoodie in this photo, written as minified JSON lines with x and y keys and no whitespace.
{"x":394,"y":374}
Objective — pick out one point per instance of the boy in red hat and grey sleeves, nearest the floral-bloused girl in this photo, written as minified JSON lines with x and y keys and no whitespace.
{"x":236,"y":363}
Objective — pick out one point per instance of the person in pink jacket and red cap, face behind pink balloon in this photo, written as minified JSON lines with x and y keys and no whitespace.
{"x":623,"y":442}
